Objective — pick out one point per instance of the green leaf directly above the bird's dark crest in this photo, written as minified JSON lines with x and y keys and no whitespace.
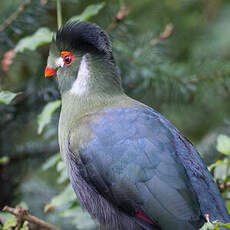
{"x":89,"y":12}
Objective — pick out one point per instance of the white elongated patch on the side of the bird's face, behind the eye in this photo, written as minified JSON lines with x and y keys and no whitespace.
{"x":80,"y":85}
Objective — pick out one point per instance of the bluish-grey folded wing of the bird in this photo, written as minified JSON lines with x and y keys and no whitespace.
{"x":138,"y":161}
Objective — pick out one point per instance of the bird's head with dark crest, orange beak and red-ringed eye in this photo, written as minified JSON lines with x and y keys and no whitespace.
{"x":81,"y":58}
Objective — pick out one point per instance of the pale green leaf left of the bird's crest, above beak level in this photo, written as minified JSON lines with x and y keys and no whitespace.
{"x":40,"y":37}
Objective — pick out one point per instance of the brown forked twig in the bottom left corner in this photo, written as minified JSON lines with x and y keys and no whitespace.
{"x":22,"y":215}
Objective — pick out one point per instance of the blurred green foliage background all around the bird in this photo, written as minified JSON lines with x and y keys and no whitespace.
{"x":173,"y":55}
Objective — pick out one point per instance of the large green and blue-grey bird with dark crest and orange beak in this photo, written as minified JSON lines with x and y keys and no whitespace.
{"x":130,"y":168}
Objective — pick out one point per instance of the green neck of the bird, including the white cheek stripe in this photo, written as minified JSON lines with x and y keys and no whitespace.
{"x":97,"y":85}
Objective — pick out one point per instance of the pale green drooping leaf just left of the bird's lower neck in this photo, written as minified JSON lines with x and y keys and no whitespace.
{"x":44,"y":117}
